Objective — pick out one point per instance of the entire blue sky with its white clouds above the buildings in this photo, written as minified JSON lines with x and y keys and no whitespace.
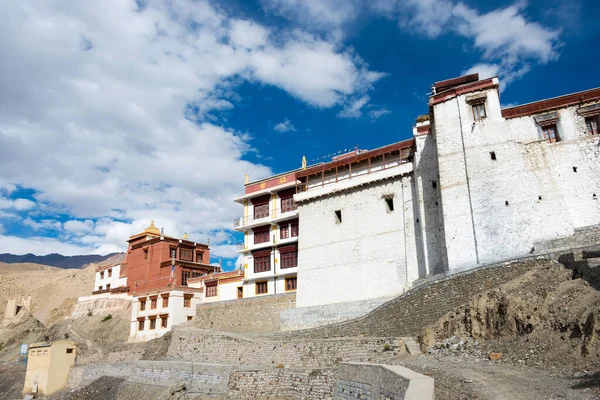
{"x":116,"y":113}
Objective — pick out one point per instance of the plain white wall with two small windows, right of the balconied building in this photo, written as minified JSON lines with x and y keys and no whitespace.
{"x":366,"y":255}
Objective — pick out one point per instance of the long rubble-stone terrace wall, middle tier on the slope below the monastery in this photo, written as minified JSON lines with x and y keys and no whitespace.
{"x":309,"y":353}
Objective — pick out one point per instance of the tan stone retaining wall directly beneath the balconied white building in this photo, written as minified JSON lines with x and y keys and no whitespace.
{"x":257,"y":314}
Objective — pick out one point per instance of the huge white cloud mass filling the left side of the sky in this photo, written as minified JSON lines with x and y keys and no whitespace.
{"x":102,"y":100}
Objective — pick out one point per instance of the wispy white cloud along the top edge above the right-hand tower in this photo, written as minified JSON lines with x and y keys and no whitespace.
{"x":505,"y":36}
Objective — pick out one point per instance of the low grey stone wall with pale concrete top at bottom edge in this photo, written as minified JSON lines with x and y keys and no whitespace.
{"x":374,"y":382}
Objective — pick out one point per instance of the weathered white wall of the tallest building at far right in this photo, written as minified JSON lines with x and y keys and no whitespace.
{"x":492,"y":209}
